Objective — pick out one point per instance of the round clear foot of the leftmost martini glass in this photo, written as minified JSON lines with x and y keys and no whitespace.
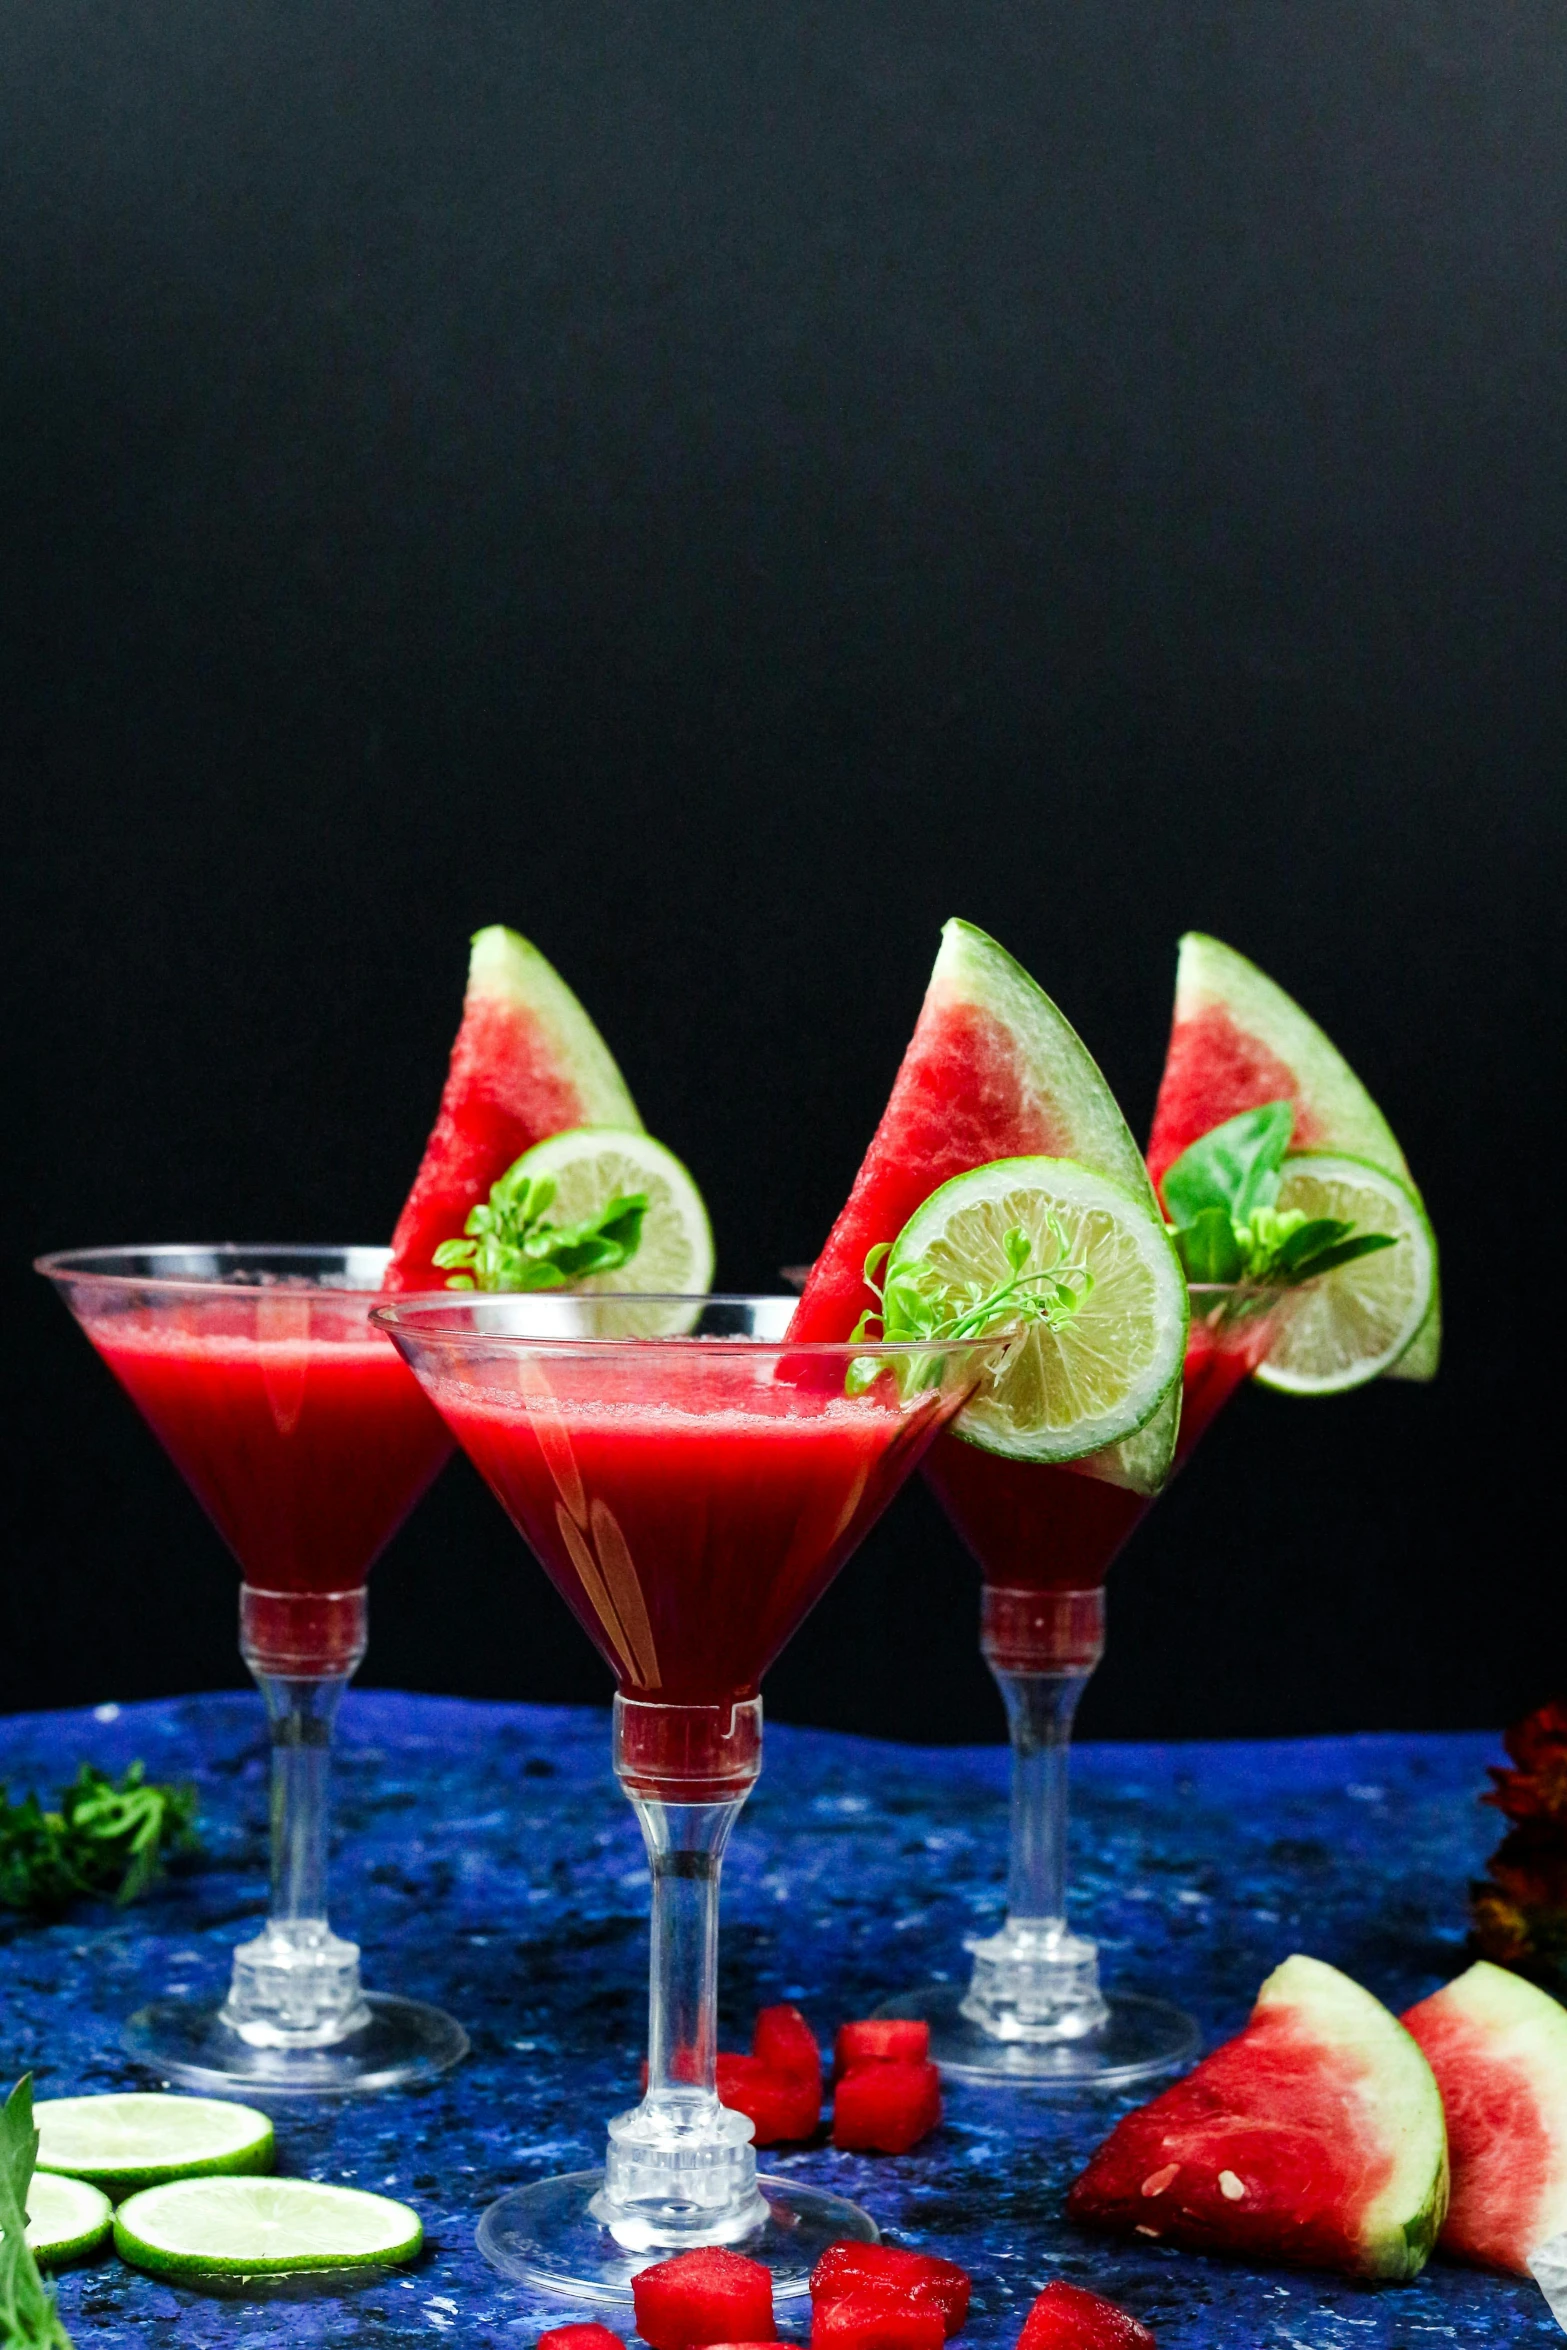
{"x":401,"y":2046}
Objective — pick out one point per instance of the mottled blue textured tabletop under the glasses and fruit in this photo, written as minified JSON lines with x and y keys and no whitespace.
{"x":487,"y":1862}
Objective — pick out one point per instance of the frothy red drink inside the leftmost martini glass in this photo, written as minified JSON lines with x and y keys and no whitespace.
{"x":297,"y":1428}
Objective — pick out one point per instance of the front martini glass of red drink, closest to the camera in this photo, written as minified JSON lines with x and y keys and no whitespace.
{"x":692,"y":1484}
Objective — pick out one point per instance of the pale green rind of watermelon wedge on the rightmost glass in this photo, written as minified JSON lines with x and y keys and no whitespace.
{"x":1333,"y":1108}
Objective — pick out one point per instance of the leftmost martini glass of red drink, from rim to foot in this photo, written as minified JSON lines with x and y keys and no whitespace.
{"x":307,"y":1444}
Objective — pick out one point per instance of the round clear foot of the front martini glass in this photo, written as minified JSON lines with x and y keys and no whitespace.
{"x":549,"y":2236}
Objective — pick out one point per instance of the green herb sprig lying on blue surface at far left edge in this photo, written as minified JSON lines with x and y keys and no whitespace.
{"x":107,"y":1839}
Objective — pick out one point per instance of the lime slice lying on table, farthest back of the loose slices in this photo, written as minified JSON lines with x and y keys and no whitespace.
{"x":135,"y":2142}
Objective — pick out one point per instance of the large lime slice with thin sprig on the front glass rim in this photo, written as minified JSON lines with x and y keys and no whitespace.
{"x":1105,"y":1374}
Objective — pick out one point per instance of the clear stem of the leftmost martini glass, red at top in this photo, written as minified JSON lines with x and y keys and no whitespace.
{"x":297,"y":1985}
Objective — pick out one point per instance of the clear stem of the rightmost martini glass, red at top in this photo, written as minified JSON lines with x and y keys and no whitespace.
{"x":1035,"y":1980}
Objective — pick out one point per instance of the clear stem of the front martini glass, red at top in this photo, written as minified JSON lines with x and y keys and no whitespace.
{"x":680,"y":2166}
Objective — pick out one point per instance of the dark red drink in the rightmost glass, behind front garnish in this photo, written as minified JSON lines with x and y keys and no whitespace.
{"x":1037,"y":1529}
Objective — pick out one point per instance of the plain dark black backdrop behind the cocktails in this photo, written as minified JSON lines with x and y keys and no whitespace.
{"x":725,"y":488}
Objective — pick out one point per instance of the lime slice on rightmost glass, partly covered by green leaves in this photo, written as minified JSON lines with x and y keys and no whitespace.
{"x":1354,"y":1324}
